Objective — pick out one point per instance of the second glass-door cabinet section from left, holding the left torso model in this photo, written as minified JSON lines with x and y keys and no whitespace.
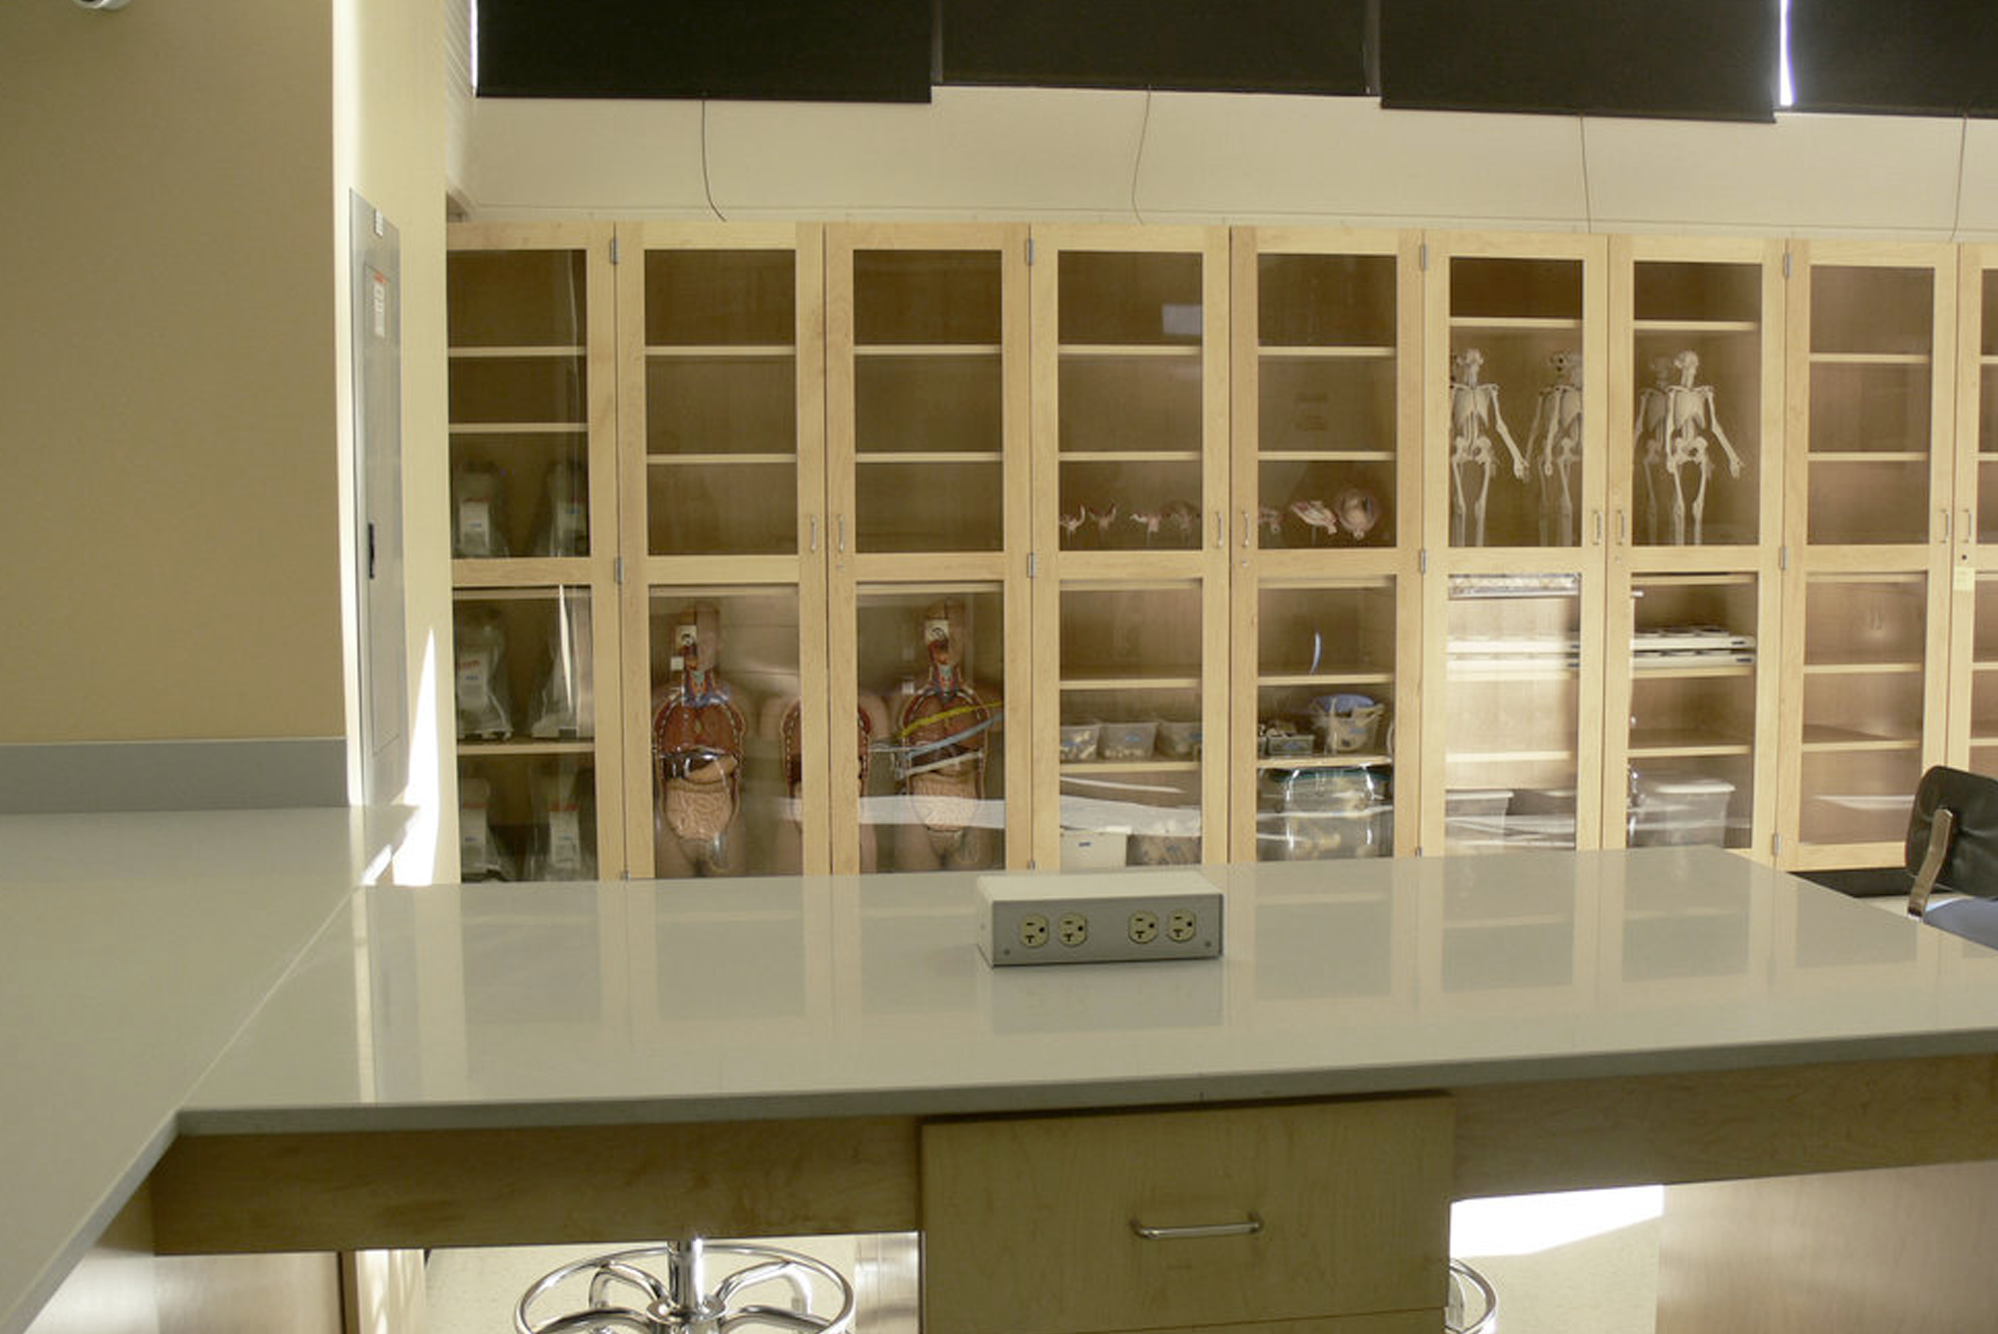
{"x":722,"y":424}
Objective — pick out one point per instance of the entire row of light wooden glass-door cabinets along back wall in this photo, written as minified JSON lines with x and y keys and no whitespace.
{"x":1082,"y":546}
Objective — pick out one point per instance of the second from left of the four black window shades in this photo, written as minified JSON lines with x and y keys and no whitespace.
{"x":1190,"y":45}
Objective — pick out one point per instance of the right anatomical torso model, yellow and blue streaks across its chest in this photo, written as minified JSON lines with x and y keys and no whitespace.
{"x":942,"y":732}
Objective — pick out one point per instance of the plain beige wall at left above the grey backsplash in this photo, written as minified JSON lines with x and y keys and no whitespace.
{"x":169,"y":508}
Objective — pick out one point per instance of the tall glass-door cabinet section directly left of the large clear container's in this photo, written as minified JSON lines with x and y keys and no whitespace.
{"x":1132,"y":488}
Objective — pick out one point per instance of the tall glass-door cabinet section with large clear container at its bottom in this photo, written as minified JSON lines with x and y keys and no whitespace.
{"x":1324,"y":540}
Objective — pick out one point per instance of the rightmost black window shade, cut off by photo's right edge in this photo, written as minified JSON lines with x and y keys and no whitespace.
{"x":1939,"y":57}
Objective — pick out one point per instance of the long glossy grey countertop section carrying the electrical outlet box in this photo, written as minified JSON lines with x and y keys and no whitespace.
{"x":644,"y":1001}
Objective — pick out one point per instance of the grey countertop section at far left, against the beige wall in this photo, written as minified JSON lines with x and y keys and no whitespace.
{"x":133,"y":950}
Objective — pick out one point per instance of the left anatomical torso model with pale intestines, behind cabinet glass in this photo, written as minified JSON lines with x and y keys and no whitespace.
{"x":698,"y":754}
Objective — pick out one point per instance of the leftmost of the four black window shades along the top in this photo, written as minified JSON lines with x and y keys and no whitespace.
{"x":806,"y":51}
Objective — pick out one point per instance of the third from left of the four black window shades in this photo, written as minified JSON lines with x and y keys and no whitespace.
{"x":1687,"y":59}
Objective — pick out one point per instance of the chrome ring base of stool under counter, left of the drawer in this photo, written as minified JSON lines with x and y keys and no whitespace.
{"x":678,"y":1301}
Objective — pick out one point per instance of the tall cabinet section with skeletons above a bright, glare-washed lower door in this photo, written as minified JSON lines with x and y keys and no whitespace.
{"x":1515,"y":446}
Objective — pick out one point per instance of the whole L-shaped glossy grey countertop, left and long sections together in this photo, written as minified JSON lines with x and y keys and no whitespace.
{"x":241,"y":986}
